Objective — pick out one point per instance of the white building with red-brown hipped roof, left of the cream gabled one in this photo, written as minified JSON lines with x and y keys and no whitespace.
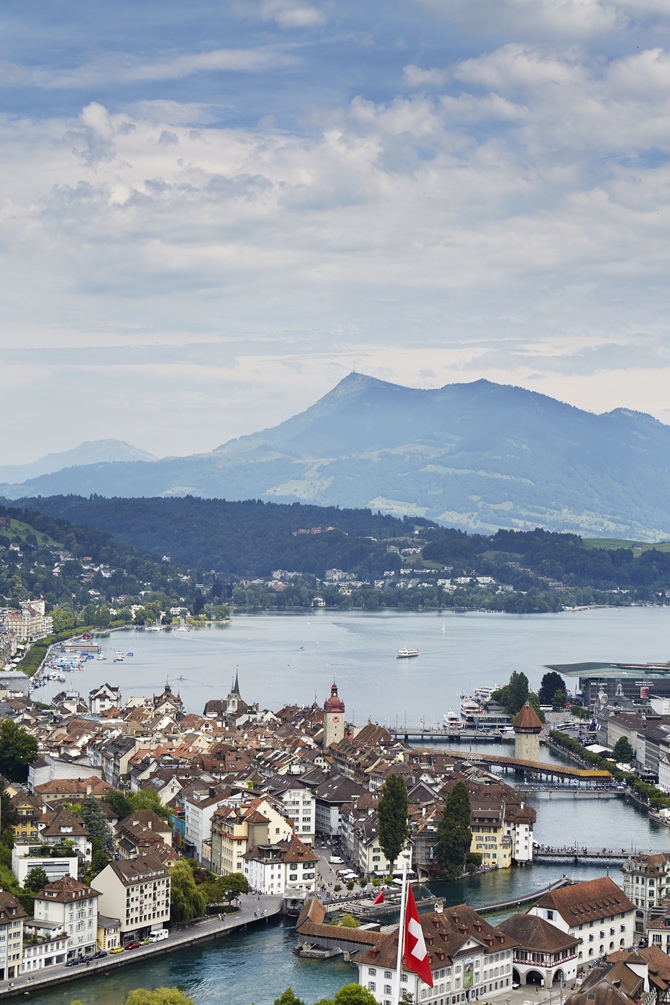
{"x":73,"y":907}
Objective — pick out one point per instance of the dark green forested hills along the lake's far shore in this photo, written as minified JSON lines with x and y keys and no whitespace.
{"x":253,"y":539}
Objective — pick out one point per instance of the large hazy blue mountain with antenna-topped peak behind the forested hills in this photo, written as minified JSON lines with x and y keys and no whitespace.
{"x":478,"y":457}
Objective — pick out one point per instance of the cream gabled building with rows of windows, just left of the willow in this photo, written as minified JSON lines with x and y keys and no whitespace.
{"x":138,"y":894}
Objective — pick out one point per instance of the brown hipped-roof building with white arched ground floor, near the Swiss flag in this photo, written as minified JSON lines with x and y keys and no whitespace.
{"x":545,"y":955}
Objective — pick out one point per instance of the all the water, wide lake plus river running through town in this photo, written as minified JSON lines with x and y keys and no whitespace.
{"x":294,"y":659}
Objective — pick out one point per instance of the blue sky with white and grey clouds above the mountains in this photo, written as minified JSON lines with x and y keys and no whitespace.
{"x":211,"y":213}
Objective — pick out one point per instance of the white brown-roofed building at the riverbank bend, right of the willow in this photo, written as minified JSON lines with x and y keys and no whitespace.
{"x":280,"y":869}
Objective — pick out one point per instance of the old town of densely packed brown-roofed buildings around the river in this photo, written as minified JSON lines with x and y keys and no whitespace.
{"x":131,"y":828}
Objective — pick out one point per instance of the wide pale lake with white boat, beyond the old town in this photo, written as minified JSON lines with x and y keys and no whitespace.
{"x":295,"y":658}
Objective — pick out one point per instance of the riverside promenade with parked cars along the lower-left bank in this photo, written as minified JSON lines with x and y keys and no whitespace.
{"x":254,"y":911}
